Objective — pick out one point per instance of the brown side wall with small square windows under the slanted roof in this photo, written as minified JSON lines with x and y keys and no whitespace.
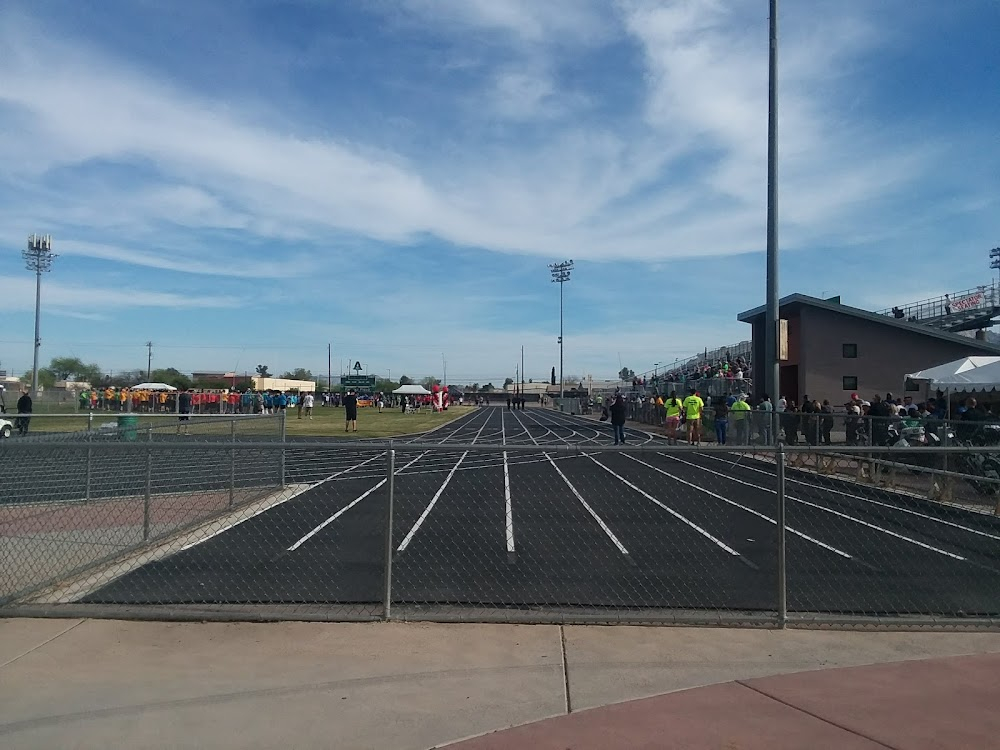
{"x":885,"y":355}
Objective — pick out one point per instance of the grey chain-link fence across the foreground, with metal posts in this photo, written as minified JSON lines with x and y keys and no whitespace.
{"x":517,"y":530}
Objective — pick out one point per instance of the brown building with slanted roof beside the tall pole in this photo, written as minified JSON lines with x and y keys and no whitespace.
{"x":830,"y":350}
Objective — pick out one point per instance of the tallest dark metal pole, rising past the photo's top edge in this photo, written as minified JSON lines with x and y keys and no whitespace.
{"x":772,"y":324}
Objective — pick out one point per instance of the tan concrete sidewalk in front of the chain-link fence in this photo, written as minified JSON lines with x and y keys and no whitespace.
{"x":99,"y":684}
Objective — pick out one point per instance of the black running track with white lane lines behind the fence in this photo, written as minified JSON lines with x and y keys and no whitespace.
{"x":600,"y":529}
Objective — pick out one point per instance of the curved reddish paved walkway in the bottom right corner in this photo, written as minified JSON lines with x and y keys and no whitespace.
{"x":917,"y":705}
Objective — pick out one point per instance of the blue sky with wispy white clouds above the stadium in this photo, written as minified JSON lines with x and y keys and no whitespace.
{"x":243,"y":181}
